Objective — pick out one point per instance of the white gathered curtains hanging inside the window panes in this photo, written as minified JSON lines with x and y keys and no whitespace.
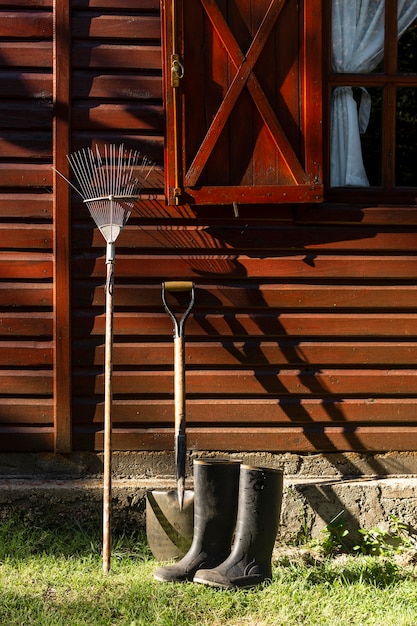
{"x":357,"y":46}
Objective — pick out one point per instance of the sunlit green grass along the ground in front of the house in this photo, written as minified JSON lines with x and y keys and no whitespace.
{"x":51,"y":576}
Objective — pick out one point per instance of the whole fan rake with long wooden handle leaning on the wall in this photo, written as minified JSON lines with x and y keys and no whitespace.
{"x":110,"y":184}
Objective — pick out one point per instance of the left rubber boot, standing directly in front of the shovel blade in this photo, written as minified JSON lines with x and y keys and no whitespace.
{"x":216,"y":484}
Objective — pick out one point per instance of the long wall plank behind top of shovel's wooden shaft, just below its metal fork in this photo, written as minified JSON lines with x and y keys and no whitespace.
{"x":252,"y":353}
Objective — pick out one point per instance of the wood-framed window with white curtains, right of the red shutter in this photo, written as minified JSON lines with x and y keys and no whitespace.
{"x":372,"y":100}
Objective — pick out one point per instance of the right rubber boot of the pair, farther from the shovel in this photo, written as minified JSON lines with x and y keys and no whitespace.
{"x":249,"y":563}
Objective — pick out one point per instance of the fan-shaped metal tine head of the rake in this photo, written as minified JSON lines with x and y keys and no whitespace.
{"x":109,"y":183}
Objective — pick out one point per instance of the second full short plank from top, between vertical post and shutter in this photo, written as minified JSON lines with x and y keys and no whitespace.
{"x":118,"y":55}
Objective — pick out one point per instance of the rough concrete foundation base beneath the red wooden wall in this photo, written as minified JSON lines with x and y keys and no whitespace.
{"x":360,"y":490}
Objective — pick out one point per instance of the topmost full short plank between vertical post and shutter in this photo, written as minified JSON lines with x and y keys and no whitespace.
{"x":96,"y":25}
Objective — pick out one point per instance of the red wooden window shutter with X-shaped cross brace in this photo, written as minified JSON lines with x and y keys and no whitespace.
{"x":243,"y":101}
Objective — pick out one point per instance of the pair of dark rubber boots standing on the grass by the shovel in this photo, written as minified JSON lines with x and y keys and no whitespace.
{"x":236,"y":516}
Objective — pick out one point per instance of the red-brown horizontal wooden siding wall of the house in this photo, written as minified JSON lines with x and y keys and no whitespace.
{"x":304,"y":333}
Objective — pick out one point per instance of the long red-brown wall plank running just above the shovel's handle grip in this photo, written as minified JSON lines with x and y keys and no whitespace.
{"x":302,"y":267}
